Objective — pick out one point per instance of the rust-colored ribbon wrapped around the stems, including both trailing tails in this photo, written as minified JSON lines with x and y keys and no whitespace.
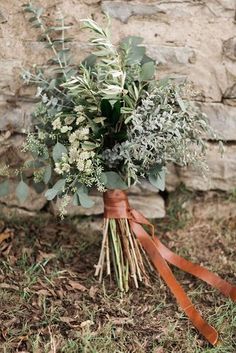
{"x":116,"y":205}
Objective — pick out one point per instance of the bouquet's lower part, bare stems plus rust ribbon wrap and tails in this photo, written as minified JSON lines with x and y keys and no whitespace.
{"x":132,"y":251}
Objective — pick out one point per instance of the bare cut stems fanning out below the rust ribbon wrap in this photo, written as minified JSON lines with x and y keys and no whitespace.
{"x":122,"y":252}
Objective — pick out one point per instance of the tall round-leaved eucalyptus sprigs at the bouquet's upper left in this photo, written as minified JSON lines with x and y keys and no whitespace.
{"x":59,"y":69}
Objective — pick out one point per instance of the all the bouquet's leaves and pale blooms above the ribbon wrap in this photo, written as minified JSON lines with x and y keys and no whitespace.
{"x":106,"y":121}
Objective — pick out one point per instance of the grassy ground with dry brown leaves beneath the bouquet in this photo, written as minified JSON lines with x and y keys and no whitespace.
{"x":51,"y":302}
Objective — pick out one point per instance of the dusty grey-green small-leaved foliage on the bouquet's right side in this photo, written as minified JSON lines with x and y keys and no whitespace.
{"x":162,"y":129}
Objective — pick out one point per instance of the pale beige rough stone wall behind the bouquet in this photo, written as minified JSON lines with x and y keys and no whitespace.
{"x":189,"y":39}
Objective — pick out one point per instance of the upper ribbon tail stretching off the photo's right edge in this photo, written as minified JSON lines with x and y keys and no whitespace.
{"x":198,"y":271}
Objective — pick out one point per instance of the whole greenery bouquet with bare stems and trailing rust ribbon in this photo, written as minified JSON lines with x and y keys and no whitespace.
{"x":107,"y":123}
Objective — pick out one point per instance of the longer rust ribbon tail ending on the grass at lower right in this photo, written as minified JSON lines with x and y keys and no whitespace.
{"x":162,"y":267}
